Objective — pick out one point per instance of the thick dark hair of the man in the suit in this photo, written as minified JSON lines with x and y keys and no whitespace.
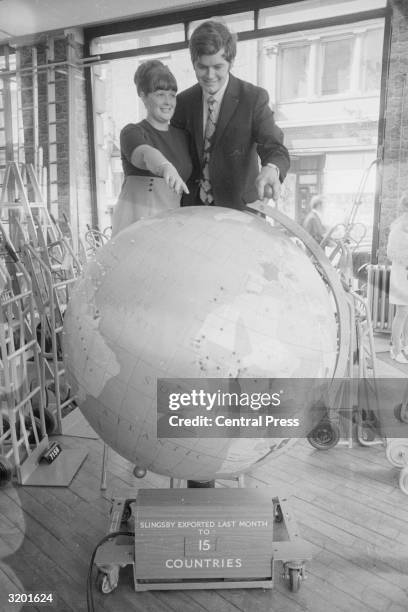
{"x":211,"y":36}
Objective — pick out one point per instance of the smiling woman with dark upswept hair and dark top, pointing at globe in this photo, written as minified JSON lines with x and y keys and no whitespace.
{"x":155,"y":157}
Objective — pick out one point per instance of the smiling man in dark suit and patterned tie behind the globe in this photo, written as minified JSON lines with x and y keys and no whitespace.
{"x":230,"y":126}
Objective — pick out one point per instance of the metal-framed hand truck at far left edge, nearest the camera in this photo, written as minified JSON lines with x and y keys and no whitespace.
{"x":23,"y":438}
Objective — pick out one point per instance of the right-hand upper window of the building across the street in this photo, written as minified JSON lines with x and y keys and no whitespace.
{"x":336,"y":59}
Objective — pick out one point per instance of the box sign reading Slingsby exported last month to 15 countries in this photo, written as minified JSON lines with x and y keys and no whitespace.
{"x":209,"y":534}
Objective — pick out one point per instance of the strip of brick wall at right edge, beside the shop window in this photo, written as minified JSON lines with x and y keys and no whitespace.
{"x":395,"y":167}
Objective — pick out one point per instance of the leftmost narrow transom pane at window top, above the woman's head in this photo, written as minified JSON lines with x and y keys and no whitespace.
{"x":139,"y":39}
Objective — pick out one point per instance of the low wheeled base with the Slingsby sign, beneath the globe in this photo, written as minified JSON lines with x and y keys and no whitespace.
{"x":203,"y":538}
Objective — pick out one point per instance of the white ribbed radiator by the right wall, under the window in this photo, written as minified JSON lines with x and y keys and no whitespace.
{"x":378,"y":287}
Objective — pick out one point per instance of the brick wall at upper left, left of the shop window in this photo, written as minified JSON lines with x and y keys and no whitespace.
{"x":73,"y":171}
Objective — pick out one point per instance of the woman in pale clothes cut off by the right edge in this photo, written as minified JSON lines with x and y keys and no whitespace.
{"x":397,"y":251}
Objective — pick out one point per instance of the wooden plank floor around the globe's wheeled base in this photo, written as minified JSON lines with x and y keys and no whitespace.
{"x":346,"y":501}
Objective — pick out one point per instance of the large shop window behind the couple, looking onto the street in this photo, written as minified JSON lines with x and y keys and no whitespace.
{"x":323,"y":82}
